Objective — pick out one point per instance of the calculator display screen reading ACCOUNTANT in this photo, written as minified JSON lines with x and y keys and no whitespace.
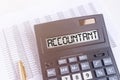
{"x":76,"y":38}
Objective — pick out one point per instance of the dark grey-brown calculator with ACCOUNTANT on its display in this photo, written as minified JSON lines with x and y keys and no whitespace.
{"x":76,"y":49}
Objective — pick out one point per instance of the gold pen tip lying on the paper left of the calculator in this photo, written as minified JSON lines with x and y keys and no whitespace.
{"x":22,"y":71}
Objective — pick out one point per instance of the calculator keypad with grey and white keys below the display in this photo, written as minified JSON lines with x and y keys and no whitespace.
{"x":79,"y":68}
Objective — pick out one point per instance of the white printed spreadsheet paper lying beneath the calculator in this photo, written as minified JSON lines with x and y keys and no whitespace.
{"x":18,"y":42}
